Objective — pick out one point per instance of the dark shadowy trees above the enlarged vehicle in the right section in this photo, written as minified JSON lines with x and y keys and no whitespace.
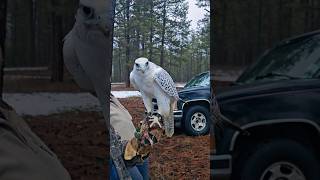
{"x":243,"y":30}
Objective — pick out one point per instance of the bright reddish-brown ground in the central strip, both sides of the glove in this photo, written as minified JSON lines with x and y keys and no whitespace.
{"x":179,"y":157}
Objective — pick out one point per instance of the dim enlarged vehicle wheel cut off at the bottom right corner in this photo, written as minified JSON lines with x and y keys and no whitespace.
{"x":280,"y":159}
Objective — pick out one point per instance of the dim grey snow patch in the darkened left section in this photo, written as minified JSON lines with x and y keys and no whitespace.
{"x":48,"y":103}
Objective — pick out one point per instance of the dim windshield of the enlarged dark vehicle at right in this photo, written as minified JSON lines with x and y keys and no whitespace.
{"x":300,"y":59}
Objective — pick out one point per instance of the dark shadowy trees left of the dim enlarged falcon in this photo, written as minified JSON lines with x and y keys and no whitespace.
{"x":30,"y":30}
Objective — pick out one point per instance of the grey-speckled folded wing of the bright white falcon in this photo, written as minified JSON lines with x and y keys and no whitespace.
{"x":166,"y":83}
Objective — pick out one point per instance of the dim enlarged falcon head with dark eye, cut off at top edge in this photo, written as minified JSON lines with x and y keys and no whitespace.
{"x":94,"y":14}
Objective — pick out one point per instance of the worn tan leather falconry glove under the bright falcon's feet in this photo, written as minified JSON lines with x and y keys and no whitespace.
{"x":139,"y":148}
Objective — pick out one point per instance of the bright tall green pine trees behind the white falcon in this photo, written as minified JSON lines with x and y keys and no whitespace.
{"x":152,"y":24}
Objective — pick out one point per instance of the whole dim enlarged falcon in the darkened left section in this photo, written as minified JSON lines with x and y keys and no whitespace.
{"x":87,"y":48}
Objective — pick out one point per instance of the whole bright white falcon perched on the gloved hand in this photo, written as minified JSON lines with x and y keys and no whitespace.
{"x":154,"y":82}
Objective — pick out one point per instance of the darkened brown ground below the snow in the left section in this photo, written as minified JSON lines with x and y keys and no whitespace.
{"x":78,"y":139}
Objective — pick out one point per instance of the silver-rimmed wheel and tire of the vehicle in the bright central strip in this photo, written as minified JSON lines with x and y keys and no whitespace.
{"x":196,"y":121}
